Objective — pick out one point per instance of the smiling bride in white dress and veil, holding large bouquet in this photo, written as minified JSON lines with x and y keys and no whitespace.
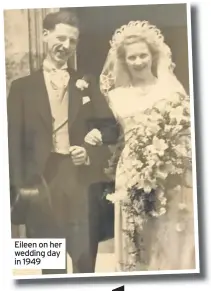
{"x":153,"y":197}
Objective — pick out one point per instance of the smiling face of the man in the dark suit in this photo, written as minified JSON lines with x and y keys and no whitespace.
{"x":61,"y":42}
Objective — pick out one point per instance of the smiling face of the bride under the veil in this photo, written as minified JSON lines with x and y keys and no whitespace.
{"x":138,"y":59}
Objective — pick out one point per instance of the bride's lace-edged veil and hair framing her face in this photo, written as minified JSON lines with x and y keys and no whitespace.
{"x":115,"y":74}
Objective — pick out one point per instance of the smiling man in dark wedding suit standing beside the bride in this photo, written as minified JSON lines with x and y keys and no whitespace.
{"x":55,"y":175}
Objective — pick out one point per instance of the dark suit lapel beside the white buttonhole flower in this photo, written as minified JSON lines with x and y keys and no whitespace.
{"x":75,"y":98}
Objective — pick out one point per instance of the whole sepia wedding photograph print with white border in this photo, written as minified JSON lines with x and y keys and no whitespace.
{"x":101,"y":144}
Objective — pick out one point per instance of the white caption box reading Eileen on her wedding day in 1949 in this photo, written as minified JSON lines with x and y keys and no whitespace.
{"x":39,"y":253}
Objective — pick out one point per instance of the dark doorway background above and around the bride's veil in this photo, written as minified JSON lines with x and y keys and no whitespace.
{"x":99,"y":23}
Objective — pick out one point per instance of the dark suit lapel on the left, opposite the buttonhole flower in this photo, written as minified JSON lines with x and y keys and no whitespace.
{"x":42,"y":100}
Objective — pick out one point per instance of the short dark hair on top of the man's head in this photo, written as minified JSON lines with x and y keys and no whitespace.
{"x":64,"y":16}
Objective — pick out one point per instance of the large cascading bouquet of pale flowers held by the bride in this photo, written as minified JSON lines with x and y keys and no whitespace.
{"x":160,"y":151}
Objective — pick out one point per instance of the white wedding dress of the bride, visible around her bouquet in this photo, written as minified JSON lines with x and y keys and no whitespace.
{"x":164,"y":247}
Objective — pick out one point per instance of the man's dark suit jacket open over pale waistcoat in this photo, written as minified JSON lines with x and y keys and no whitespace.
{"x":30,"y":127}
